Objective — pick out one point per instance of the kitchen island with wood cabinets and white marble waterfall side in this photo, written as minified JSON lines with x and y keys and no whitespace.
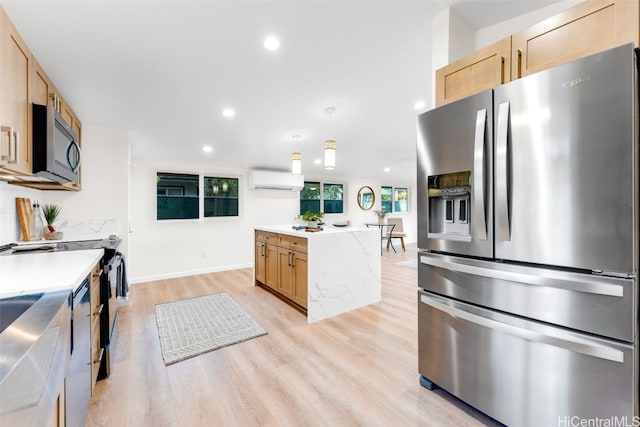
{"x":322,"y":273}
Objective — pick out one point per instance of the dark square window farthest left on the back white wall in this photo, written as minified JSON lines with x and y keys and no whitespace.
{"x":177,"y":196}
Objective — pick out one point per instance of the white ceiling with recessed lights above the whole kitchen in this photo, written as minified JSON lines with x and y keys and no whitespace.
{"x":165,"y":70}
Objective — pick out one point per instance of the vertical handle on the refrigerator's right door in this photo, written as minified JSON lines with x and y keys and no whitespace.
{"x":502,"y":174}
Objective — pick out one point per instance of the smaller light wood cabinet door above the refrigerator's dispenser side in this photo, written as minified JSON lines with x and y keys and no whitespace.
{"x":482,"y":70}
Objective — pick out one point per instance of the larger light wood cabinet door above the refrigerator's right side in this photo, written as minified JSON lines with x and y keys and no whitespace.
{"x":587,"y":28}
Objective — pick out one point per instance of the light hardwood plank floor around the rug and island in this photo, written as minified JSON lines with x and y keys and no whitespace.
{"x":356,"y":369}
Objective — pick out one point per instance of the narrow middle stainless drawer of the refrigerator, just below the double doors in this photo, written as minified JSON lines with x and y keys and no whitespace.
{"x":596,"y":304}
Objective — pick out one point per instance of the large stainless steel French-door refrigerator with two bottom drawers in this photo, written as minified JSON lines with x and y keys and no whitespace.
{"x":528,"y":245}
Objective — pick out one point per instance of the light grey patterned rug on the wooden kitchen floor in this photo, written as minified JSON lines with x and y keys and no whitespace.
{"x":194,"y":326}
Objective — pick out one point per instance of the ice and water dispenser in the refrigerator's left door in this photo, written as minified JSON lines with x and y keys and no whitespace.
{"x":449,"y":205}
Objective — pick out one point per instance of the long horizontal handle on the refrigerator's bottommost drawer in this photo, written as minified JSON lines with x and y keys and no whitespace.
{"x":558,"y":339}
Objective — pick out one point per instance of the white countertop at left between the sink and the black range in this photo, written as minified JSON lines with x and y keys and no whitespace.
{"x":22,"y":274}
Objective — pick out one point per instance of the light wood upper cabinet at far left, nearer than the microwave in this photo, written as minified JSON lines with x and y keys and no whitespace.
{"x":15,"y":101}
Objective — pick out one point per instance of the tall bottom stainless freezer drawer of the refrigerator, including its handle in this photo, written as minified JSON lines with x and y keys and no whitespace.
{"x":523,"y":373}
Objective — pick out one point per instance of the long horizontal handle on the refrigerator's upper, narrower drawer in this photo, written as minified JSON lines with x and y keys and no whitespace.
{"x":591,"y":286}
